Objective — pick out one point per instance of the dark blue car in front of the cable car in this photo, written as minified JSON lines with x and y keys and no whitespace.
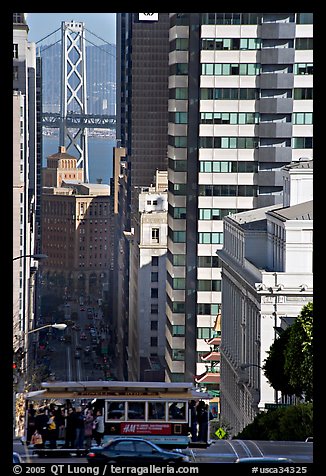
{"x":133,"y":450}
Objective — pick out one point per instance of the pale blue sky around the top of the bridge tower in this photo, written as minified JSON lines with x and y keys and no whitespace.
{"x":43,"y":24}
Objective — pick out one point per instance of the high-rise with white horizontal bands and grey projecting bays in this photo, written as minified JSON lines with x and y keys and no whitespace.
{"x":240,"y":108}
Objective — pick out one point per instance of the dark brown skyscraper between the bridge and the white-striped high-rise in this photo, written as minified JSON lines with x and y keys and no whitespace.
{"x":142,"y":129}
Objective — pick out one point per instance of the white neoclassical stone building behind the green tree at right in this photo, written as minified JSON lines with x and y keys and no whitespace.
{"x":267,"y":278}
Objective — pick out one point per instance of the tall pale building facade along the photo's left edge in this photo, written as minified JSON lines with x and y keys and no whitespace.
{"x":24,"y":180}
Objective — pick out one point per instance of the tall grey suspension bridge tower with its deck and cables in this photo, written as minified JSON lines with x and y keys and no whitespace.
{"x":73,"y":120}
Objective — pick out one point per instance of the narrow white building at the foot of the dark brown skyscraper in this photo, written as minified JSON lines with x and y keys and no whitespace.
{"x":148,"y":247}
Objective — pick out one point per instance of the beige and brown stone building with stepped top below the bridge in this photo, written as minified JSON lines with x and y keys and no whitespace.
{"x":76,"y":229}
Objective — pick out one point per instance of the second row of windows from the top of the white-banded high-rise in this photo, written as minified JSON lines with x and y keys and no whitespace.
{"x":218,"y":44}
